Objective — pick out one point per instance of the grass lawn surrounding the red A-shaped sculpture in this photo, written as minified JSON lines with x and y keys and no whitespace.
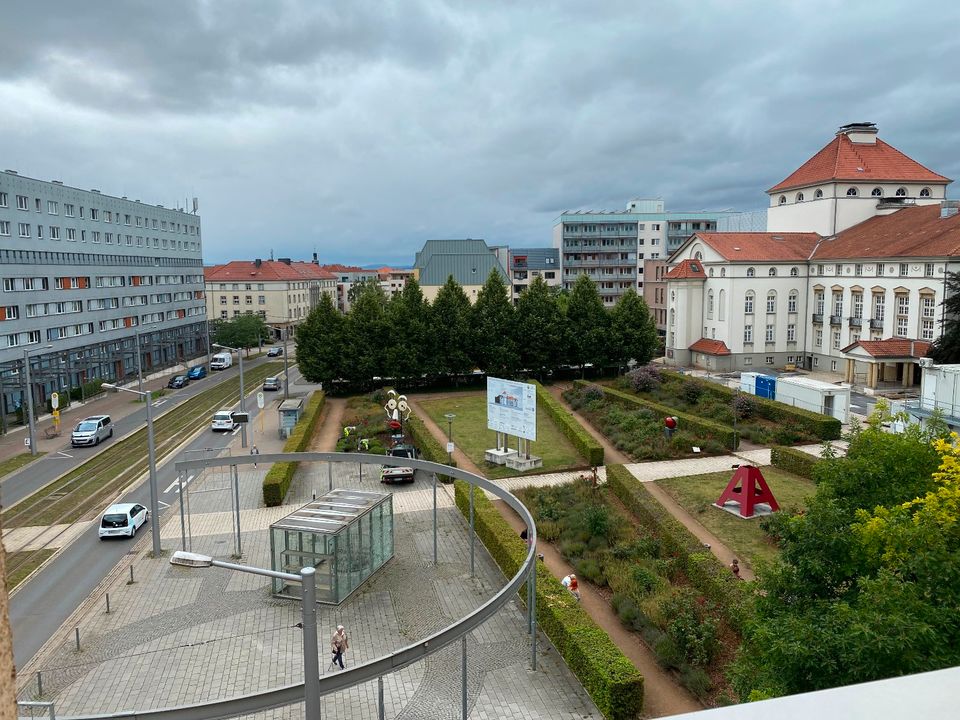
{"x":697,"y":493}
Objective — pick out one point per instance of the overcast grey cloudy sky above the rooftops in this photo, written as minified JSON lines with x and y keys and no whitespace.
{"x":361,"y":129}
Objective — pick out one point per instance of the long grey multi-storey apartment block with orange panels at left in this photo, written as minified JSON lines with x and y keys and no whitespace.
{"x":87,"y":278}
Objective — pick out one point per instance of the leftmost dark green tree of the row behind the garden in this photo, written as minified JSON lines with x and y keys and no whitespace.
{"x":321,"y":343}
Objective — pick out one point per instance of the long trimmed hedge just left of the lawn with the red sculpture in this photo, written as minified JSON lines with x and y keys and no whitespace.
{"x":706,"y":574}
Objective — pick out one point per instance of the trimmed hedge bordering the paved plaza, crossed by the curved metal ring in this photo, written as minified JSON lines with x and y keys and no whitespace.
{"x":613,"y":682}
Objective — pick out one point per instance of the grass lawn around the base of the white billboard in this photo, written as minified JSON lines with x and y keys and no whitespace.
{"x":471,"y":435}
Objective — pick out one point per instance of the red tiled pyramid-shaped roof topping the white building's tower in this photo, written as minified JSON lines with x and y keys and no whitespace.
{"x":843,"y":159}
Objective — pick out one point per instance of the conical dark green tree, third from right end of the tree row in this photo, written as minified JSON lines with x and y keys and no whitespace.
{"x":539,"y":328}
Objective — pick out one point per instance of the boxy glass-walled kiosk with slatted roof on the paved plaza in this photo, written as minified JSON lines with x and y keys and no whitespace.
{"x":347,"y":535}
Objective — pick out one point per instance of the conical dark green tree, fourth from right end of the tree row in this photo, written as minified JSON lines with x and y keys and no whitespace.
{"x":491,"y":324}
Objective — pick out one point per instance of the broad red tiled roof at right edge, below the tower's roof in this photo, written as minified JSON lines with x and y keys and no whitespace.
{"x":911,"y":232}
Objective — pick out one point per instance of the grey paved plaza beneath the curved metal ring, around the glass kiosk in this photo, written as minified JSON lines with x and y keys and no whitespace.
{"x":179,"y":636}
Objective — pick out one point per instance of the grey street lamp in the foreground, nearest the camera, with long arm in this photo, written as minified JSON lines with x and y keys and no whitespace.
{"x":308,"y":609}
